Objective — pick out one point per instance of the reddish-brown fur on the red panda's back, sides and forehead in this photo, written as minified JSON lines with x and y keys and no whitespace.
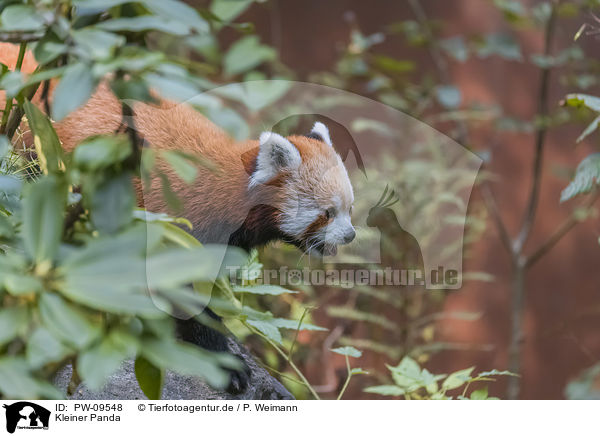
{"x":216,"y":198}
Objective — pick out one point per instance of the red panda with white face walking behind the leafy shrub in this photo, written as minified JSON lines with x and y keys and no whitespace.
{"x":294,"y":188}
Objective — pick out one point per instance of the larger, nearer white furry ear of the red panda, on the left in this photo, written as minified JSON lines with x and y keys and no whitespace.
{"x":274,"y":155}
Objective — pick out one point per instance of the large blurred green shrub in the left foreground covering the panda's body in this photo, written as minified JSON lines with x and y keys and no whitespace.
{"x":76,"y":257}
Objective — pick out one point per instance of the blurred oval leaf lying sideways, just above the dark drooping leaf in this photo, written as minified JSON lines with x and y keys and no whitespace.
{"x":101,"y":152}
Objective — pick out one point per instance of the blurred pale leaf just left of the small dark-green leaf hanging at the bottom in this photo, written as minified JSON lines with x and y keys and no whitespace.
{"x":101,"y":361}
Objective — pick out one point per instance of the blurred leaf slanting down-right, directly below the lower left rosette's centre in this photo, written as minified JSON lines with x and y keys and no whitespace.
{"x":68,"y":322}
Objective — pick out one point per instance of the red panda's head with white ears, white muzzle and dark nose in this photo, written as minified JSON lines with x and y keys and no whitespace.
{"x":315,"y":193}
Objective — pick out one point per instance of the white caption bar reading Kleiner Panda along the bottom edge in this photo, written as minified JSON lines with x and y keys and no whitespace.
{"x":297,"y":417}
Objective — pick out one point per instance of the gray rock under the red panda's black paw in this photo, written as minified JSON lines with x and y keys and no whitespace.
{"x":123,"y":385}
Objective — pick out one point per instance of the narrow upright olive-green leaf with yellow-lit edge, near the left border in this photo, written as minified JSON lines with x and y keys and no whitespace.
{"x":47,"y":144}
